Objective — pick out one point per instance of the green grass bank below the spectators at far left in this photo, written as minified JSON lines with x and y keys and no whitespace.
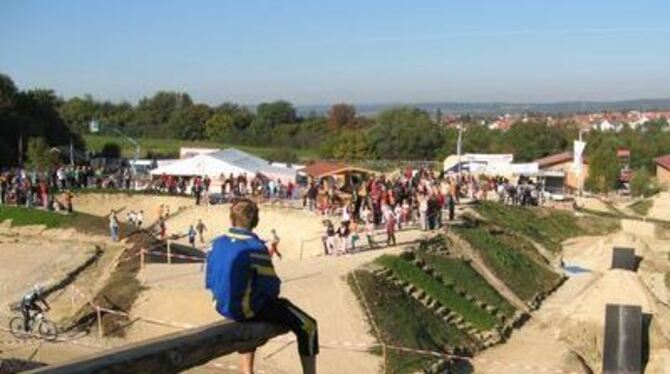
{"x":21,"y":216}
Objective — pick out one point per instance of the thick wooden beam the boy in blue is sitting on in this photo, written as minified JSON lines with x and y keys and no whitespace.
{"x":174,"y":352}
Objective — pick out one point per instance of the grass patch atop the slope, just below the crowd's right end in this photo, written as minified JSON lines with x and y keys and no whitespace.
{"x":549,"y":227}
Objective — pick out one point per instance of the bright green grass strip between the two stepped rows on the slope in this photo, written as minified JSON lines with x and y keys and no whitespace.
{"x":440,"y":292}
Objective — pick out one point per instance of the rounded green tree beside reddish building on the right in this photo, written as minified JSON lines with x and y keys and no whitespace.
{"x":604,"y":167}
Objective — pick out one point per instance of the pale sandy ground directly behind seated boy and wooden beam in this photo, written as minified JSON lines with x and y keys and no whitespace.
{"x":315,"y":284}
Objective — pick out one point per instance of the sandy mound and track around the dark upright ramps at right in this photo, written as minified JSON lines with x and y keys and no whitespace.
{"x":572,"y":319}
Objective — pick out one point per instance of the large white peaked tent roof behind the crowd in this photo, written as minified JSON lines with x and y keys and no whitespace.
{"x":225,"y":162}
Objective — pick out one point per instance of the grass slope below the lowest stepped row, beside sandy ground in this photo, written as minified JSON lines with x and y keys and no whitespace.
{"x":405,"y":322}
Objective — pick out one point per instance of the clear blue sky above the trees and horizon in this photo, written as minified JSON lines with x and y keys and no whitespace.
{"x":320,"y":52}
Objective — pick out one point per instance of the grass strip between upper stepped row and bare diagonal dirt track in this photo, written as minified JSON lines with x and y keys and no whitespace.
{"x":460,"y":273}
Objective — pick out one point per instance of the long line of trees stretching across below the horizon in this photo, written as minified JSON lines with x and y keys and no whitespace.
{"x":400,"y":133}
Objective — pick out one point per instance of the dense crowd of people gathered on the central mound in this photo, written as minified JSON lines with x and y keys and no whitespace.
{"x":415,"y":197}
